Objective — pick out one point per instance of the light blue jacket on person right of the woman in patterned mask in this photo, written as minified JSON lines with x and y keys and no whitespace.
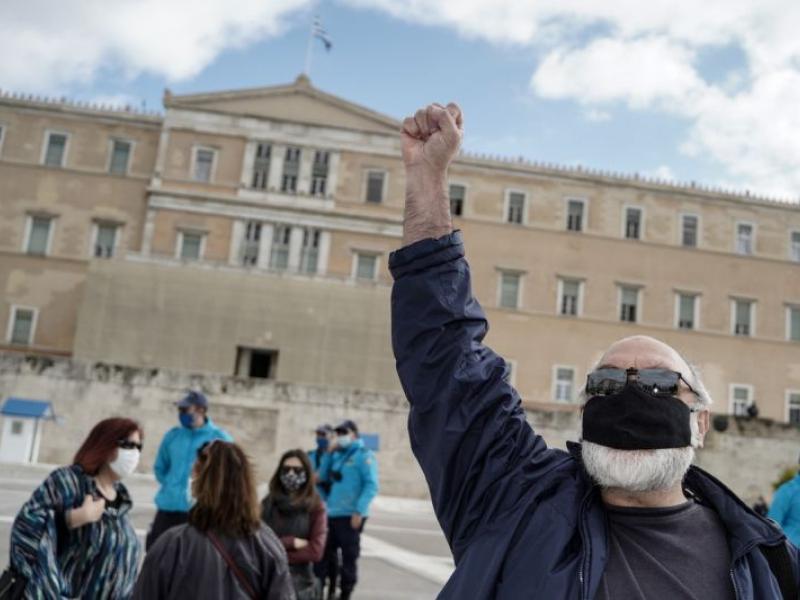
{"x":358,"y":485}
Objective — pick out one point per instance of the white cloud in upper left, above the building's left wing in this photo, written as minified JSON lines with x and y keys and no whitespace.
{"x":48,"y":45}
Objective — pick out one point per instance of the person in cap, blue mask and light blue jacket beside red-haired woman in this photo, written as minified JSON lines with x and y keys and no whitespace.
{"x":175,"y":459}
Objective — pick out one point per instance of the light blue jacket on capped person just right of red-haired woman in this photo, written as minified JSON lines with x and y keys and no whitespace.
{"x":175,"y":460}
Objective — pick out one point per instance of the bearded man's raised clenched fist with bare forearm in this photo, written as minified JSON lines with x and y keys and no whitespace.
{"x":431,"y":139}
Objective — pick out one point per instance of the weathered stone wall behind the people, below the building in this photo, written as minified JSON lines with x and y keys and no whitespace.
{"x":268,"y":418}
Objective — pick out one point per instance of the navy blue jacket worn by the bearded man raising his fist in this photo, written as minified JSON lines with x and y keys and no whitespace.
{"x":522,"y":520}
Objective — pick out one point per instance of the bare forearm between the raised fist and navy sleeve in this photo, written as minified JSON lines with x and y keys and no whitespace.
{"x":427,"y":211}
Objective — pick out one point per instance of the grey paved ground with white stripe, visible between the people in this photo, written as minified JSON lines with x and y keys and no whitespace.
{"x":404,"y":555}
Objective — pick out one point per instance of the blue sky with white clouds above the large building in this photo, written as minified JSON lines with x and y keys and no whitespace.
{"x":590,"y":85}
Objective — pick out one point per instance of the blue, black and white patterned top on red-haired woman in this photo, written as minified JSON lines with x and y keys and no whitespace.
{"x":99,"y":560}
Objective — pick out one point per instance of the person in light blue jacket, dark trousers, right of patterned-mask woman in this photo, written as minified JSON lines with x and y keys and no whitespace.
{"x":350,"y":476}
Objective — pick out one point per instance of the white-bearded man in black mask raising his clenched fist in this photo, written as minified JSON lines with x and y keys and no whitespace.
{"x":624,"y":515}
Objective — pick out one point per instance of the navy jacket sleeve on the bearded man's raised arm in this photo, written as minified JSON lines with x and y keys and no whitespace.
{"x":466,"y":425}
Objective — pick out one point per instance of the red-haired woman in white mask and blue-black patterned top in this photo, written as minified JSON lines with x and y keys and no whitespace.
{"x":73,"y":538}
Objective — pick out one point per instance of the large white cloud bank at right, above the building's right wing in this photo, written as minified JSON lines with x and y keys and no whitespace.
{"x":603,"y":53}
